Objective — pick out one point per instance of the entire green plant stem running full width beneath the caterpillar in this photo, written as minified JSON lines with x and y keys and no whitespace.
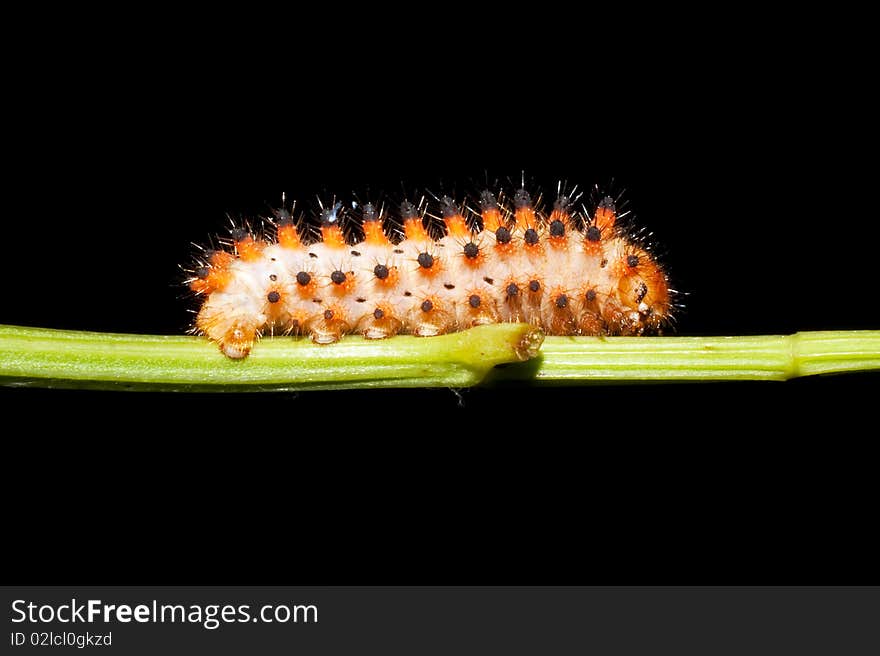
{"x":59,"y":358}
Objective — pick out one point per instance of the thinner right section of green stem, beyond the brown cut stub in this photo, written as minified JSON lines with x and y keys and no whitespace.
{"x":577,"y":360}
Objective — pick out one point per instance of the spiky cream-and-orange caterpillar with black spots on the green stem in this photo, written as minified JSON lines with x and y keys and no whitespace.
{"x":495,"y":257}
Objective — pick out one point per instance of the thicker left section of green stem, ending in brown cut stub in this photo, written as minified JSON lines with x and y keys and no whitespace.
{"x":62,"y":358}
